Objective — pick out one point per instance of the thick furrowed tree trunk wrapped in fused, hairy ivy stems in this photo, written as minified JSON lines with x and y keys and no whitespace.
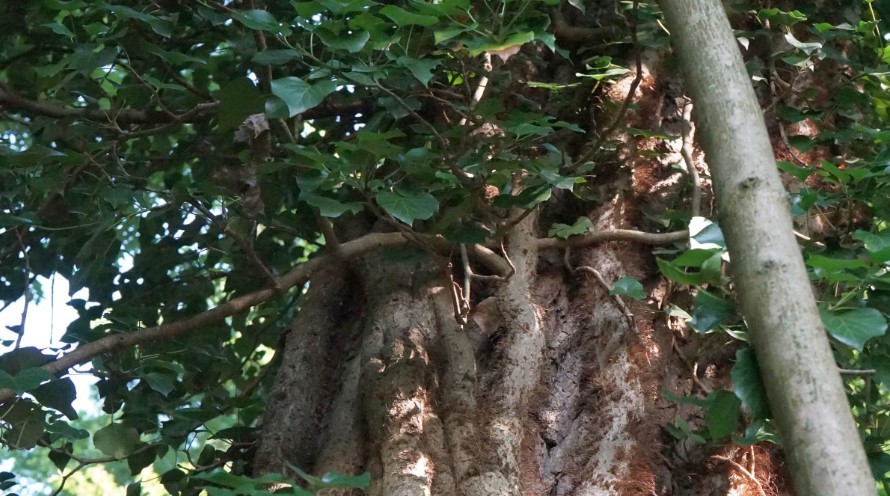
{"x":552,"y":387}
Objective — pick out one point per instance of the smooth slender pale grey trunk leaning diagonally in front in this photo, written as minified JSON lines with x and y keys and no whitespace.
{"x":803,"y":385}
